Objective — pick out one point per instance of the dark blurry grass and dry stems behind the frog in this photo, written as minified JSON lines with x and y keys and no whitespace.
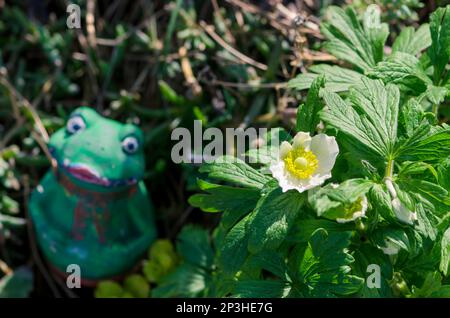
{"x":159,"y":64}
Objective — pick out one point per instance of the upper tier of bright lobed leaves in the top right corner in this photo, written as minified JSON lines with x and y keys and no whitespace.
{"x":417,"y":62}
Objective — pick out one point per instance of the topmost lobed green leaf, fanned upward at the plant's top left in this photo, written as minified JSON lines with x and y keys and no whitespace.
{"x":360,"y":45}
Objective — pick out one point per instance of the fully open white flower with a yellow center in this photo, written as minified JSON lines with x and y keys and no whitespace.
{"x":305,"y":164}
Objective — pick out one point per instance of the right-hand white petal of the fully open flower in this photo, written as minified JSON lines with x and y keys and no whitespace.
{"x":326,"y":149}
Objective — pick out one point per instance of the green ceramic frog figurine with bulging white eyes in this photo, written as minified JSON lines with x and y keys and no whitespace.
{"x":93,"y":210}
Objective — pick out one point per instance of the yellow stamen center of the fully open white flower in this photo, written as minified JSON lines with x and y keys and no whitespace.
{"x":301,"y":163}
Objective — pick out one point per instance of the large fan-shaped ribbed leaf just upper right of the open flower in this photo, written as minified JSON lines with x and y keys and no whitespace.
{"x":370,"y":119}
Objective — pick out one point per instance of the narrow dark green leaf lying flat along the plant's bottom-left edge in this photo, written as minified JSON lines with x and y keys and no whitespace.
{"x":262,"y":289}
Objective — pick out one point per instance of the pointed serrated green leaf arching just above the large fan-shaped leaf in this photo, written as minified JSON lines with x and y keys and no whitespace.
{"x":404,"y":70}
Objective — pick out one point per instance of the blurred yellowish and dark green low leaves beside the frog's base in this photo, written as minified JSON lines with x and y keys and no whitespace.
{"x":184,"y":271}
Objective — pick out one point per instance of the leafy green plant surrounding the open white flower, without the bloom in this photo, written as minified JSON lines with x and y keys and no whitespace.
{"x":387,"y":206}
